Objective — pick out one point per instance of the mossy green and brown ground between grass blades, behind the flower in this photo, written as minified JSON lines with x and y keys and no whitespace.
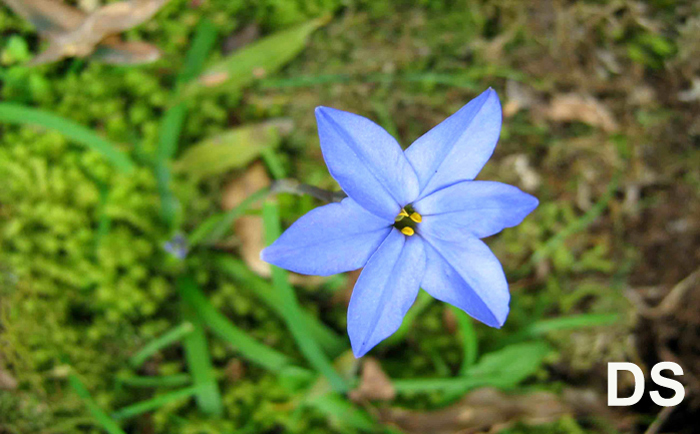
{"x":602,"y":124}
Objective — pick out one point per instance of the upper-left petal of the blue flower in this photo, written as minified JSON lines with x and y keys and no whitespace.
{"x":367,"y":162}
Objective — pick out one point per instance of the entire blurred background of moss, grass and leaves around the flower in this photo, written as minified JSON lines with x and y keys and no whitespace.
{"x":125,"y":292}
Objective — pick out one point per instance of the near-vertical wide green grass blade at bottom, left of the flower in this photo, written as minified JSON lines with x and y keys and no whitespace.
{"x":199,"y":362}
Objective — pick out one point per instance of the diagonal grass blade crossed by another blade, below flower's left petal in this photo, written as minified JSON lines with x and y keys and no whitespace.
{"x":331,"y":343}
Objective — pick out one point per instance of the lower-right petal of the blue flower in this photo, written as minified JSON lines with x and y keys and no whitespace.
{"x":466,"y":274}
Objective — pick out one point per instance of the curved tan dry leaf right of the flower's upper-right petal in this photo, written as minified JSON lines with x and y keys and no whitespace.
{"x":583,"y":108}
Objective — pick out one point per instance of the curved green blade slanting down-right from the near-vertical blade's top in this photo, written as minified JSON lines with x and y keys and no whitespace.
{"x":248,"y":347}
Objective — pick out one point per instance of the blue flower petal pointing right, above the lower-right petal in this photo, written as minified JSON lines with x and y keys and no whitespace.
{"x":482,"y":208}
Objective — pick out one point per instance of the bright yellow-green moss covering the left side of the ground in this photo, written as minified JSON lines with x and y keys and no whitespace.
{"x":86,"y":281}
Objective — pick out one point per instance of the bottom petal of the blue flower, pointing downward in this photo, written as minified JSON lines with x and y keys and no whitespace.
{"x":386,"y":289}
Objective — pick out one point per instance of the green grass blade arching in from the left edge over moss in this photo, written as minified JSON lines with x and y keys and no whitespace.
{"x":19,"y":114}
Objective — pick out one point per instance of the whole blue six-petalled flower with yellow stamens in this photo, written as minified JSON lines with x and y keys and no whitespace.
{"x":412,"y":219}
